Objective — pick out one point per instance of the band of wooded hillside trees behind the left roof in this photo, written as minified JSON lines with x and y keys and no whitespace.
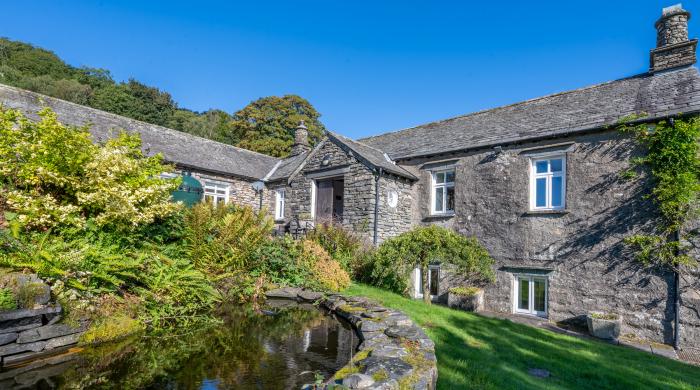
{"x":265,"y":125}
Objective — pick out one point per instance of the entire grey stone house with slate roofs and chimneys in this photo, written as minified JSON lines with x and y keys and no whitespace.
{"x":537,"y":182}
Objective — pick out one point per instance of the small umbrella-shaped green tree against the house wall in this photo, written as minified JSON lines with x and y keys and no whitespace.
{"x":424,"y":245}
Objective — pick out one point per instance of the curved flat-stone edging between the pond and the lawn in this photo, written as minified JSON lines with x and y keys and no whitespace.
{"x":394,"y":352}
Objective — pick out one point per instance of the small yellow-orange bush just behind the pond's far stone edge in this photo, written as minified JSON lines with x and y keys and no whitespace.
{"x":325,"y":271}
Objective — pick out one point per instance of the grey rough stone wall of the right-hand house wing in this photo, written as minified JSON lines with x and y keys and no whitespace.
{"x":580,"y":250}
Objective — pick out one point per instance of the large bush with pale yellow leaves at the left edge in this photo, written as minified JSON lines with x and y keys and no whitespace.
{"x":53,"y":175}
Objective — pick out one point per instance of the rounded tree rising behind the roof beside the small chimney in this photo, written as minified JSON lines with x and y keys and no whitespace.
{"x":267,"y":124}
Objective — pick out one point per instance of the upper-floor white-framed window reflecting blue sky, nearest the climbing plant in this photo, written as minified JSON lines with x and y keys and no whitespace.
{"x":548,"y":183}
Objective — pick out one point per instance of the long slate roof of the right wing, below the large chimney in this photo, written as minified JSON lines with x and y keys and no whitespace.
{"x":591,"y":108}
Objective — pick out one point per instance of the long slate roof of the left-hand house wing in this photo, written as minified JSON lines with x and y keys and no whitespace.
{"x":177,"y":147}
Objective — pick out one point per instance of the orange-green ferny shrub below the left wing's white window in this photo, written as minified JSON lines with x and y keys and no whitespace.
{"x":222,"y":240}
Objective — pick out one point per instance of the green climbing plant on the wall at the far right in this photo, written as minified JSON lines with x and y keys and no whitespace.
{"x":672,"y":157}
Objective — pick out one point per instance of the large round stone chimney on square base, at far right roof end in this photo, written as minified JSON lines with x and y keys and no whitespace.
{"x":673,"y":49}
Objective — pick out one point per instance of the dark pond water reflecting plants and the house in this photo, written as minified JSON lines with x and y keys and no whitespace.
{"x":279,"y":347}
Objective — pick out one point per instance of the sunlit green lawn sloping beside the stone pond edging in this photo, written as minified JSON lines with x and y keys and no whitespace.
{"x":486,"y":353}
